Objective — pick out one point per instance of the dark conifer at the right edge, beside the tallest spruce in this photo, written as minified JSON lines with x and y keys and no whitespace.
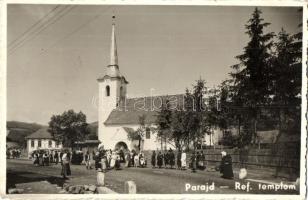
{"x":286,"y":75}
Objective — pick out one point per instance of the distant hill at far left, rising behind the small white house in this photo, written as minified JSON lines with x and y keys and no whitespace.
{"x":17,"y":131}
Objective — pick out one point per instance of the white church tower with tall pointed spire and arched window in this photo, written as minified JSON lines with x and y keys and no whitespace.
{"x":112,"y":88}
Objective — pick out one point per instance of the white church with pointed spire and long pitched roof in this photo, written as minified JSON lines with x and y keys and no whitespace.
{"x":119,"y":116}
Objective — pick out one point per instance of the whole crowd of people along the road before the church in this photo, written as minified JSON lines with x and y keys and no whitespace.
{"x":120,"y":158}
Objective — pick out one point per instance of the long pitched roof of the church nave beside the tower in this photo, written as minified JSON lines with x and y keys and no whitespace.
{"x":131,"y":109}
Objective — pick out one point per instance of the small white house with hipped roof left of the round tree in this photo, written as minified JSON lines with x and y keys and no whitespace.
{"x":41,"y":139}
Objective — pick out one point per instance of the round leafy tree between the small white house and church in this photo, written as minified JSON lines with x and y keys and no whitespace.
{"x":68,"y":127}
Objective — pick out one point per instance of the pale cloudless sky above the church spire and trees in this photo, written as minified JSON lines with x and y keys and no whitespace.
{"x":162,"y":50}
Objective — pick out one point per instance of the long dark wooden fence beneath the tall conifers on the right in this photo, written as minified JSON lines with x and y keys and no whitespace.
{"x":280,"y":158}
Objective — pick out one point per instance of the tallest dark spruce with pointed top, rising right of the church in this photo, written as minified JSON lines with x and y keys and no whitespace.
{"x":251,"y":77}
